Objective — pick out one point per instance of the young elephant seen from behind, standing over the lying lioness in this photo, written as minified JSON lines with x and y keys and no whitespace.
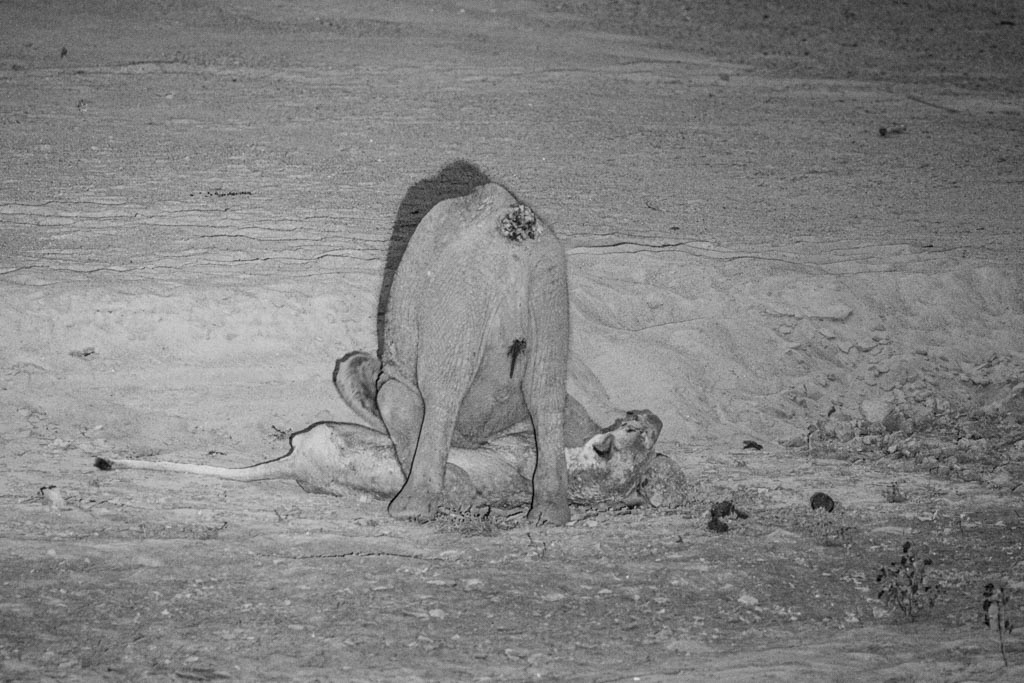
{"x":476,"y":341}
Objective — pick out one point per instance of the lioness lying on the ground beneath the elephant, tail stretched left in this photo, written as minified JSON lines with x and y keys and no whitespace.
{"x":340,"y":459}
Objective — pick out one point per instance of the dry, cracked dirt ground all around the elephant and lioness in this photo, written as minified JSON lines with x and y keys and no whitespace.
{"x":794,"y":226}
